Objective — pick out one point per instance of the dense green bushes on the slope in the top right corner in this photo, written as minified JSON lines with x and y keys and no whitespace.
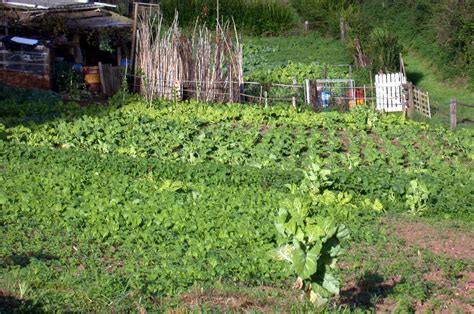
{"x":440,"y":31}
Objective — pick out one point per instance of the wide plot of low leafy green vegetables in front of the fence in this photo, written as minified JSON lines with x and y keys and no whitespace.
{"x":137,"y":206}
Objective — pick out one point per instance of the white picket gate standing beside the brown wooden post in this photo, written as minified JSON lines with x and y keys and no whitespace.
{"x":389,"y":91}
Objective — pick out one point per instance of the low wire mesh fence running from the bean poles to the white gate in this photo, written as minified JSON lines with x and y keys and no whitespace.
{"x":320,"y":95}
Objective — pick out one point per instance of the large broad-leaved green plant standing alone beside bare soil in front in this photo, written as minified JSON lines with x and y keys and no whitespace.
{"x":312,"y":249}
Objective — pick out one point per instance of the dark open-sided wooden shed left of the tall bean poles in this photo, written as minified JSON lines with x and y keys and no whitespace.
{"x":37,"y":38}
